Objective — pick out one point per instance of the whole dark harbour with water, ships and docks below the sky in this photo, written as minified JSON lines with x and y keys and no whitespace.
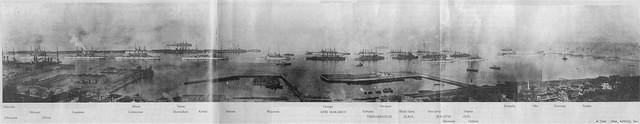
{"x":240,"y":77}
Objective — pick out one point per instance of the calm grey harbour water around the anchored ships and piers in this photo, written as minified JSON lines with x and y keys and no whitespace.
{"x":170,"y":72}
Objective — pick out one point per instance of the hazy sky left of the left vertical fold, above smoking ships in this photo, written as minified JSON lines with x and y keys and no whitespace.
{"x":104,"y":25}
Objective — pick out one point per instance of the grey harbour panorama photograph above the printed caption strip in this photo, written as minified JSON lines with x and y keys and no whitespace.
{"x":319,"y":51}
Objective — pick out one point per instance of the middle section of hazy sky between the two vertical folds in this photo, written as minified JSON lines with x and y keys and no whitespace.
{"x":314,"y":24}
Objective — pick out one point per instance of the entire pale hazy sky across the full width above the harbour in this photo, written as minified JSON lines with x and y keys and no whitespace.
{"x":312,"y":24}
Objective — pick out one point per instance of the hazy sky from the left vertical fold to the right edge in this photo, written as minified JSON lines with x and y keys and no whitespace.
{"x":456,"y":24}
